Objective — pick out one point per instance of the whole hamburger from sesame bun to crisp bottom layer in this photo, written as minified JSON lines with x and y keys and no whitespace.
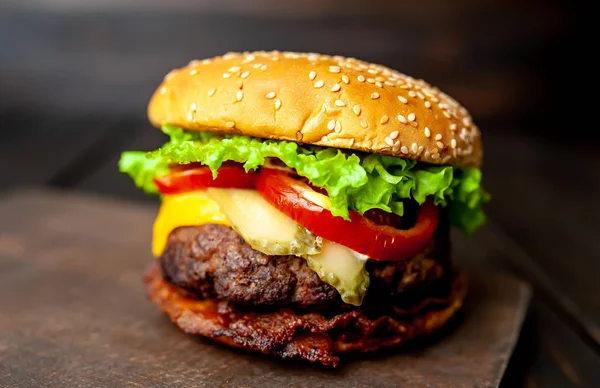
{"x":306,"y":203}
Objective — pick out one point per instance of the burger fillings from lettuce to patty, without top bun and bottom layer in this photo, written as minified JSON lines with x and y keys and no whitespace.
{"x":274,"y":223}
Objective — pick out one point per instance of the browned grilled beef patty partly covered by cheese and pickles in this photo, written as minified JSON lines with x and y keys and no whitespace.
{"x":213,"y":261}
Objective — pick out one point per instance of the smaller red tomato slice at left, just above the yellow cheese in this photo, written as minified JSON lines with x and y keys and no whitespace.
{"x":196,"y":178}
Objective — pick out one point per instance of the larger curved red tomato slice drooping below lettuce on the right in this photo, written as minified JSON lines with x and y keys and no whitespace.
{"x":380,"y":242}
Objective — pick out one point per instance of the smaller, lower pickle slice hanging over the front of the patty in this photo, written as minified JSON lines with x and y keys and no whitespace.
{"x":343,"y":269}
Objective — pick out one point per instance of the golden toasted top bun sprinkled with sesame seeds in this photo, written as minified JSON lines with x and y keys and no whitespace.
{"x":318,"y":99}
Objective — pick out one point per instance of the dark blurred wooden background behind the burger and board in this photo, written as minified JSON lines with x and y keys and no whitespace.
{"x":75,"y":78}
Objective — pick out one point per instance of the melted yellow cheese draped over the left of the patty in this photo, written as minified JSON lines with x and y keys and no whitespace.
{"x":186,"y":209}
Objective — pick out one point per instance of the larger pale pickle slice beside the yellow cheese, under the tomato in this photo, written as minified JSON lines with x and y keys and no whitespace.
{"x":262,"y":226}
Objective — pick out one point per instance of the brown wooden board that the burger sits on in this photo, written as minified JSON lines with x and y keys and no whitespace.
{"x":73,"y":312}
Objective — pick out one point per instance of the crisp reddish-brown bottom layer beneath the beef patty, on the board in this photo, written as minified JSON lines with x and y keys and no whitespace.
{"x":309,"y":336}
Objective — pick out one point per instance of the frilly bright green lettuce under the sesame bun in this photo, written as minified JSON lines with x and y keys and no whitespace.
{"x":353,"y":180}
